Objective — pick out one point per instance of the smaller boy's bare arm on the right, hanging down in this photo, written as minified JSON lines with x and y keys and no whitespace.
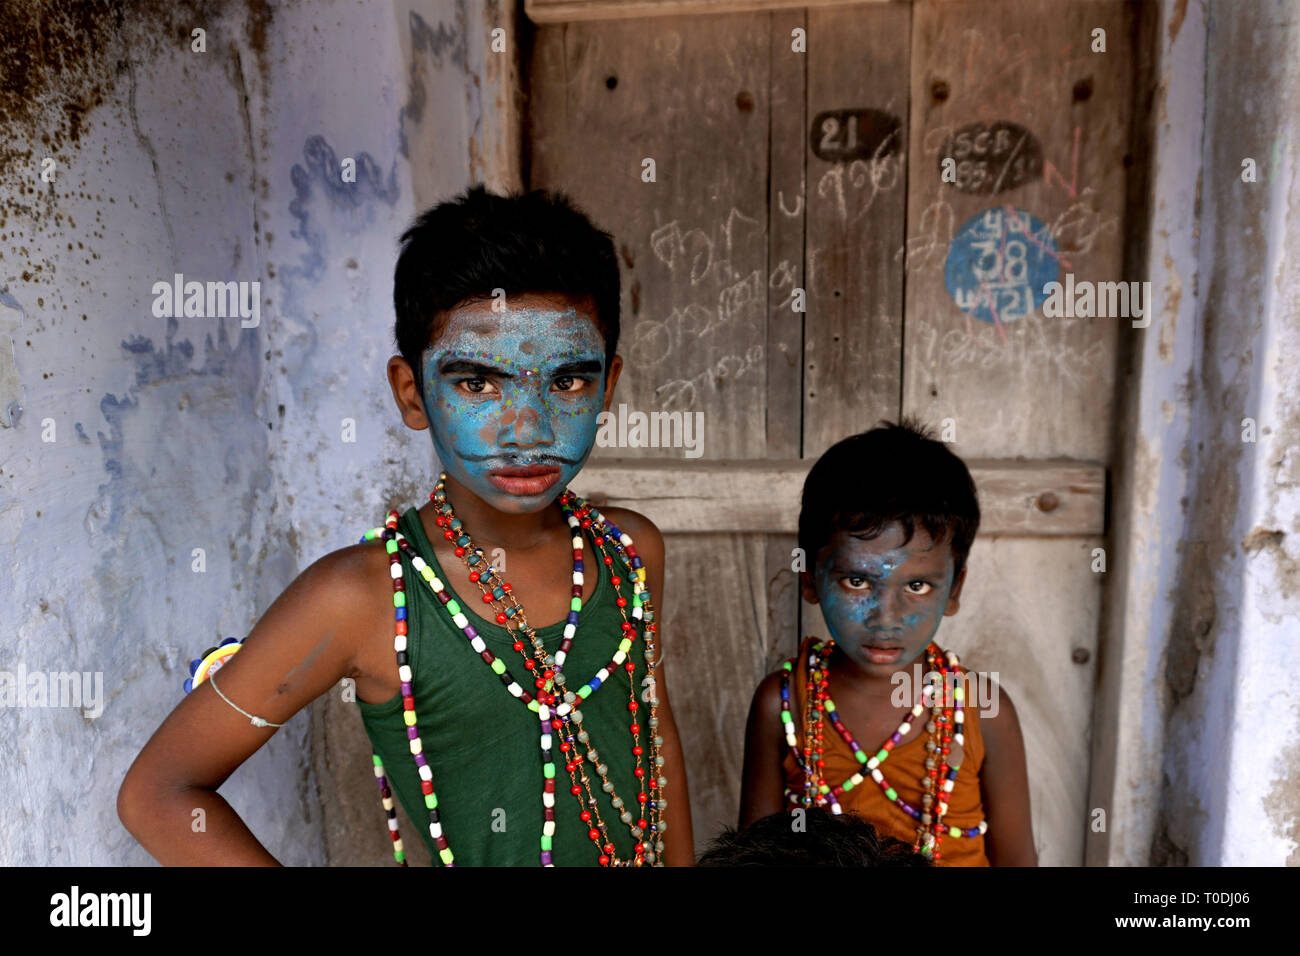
{"x":1006,"y":789}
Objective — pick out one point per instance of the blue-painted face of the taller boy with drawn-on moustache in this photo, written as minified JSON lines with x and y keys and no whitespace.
{"x":513,"y":399}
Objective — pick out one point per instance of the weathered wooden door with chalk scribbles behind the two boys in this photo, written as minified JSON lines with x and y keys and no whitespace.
{"x":783,"y":175}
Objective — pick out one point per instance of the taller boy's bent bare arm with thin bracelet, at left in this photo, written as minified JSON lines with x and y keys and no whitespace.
{"x":305,"y":644}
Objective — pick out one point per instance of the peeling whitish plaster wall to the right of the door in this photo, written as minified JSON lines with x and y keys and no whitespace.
{"x":1230,"y":769}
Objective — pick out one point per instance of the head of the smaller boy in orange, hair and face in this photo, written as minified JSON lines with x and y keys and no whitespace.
{"x":887,"y":524}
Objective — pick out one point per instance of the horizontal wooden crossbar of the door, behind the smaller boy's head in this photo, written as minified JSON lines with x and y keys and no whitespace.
{"x":1032,"y":499}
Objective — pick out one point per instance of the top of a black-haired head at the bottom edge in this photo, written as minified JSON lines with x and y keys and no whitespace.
{"x":826,"y":841}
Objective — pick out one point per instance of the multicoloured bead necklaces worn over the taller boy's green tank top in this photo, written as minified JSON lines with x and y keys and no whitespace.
{"x":562,"y":719}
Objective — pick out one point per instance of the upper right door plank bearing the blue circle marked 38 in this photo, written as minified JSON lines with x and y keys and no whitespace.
{"x":1037,"y":126}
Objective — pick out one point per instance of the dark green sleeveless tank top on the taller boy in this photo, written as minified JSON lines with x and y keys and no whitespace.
{"x":483,"y":745}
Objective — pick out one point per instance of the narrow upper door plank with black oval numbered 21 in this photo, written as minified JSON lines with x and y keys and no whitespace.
{"x":857,"y":107}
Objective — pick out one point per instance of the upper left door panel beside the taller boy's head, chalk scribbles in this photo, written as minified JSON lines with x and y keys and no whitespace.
{"x":692,"y":96}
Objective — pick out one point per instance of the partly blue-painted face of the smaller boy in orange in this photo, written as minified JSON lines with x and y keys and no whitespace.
{"x":883,"y":600}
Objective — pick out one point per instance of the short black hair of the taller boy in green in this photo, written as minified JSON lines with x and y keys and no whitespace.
{"x":463,"y":249}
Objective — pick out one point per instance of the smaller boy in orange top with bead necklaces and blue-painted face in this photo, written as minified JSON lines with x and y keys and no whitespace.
{"x":887,"y":522}
